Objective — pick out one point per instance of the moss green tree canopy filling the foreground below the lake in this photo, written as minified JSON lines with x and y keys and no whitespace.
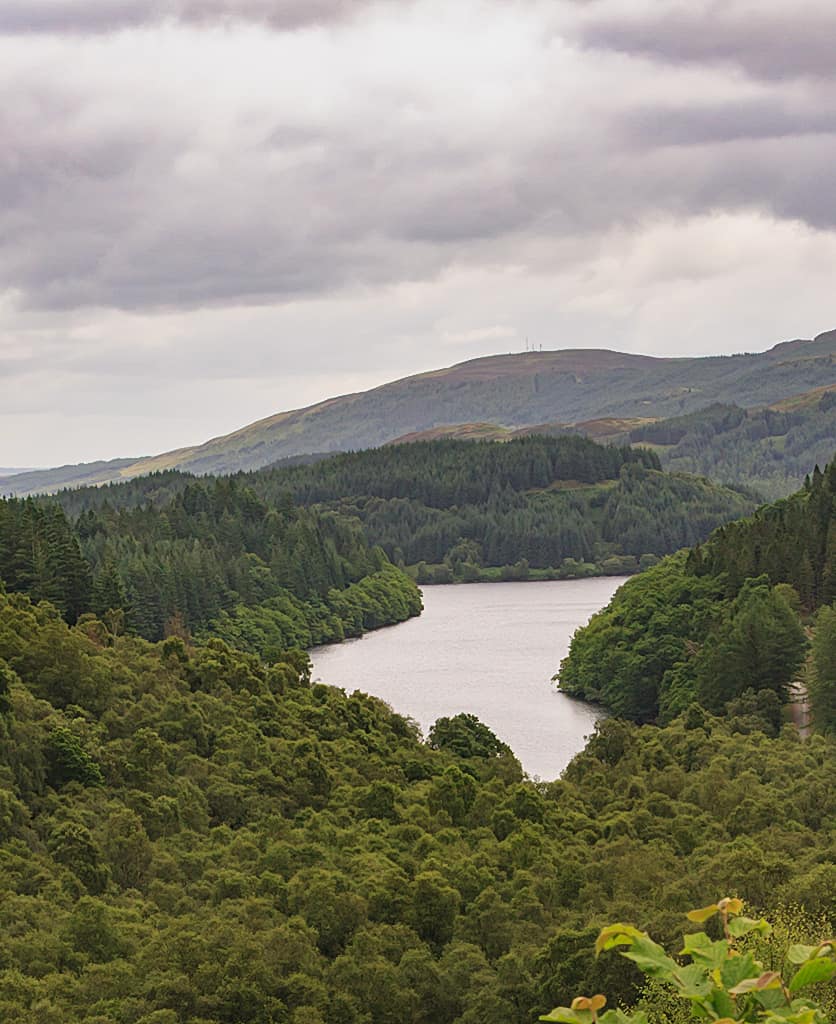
{"x":192,"y":836}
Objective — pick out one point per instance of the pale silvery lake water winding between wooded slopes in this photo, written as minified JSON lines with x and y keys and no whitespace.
{"x":490,"y":650}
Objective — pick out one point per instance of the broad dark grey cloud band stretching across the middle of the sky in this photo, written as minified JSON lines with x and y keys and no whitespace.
{"x":115,"y":228}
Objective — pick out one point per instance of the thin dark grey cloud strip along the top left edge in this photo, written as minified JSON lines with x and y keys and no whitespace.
{"x":96,"y":17}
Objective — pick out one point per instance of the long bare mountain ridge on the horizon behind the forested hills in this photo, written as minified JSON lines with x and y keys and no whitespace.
{"x":516,"y":391}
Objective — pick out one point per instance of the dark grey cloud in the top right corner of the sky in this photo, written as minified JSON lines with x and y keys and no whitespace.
{"x":770,"y":46}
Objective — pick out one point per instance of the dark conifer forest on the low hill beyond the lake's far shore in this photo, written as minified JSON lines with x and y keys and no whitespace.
{"x":533,"y":507}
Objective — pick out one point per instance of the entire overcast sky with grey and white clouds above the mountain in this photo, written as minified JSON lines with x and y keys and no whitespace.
{"x":216,"y":210}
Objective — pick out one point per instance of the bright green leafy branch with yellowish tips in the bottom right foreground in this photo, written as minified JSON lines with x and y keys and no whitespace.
{"x":722,"y":984}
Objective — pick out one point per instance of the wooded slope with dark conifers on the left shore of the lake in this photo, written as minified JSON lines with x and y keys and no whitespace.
{"x":212,"y":559}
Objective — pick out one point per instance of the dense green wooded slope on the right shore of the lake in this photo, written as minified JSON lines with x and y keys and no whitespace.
{"x":724,"y":620}
